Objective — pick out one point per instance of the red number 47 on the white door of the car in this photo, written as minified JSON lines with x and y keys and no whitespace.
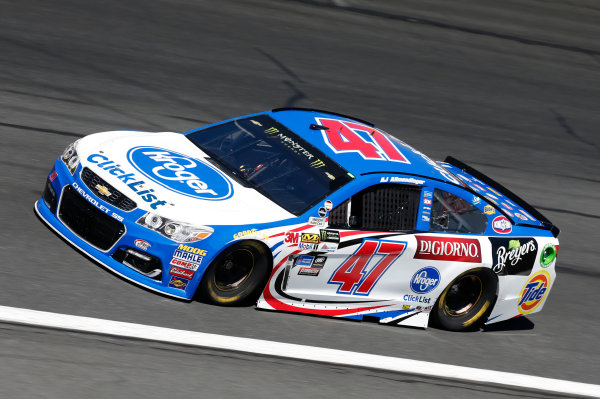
{"x":351,"y":275}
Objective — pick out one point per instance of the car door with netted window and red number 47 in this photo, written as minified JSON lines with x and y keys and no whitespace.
{"x":360,"y":253}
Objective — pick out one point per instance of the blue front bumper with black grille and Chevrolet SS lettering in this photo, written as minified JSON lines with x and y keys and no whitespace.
{"x":125,"y":235}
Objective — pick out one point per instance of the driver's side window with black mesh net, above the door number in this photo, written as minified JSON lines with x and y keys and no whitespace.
{"x":390,"y":207}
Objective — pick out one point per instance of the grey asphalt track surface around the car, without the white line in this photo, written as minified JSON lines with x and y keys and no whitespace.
{"x":512,"y":88}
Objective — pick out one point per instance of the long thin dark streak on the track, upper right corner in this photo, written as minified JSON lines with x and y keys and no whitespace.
{"x":444,"y":25}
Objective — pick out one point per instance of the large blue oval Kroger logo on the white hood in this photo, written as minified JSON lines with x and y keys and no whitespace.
{"x":180,"y":173}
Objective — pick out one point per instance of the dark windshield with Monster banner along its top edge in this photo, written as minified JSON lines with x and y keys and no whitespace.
{"x":263,"y":154}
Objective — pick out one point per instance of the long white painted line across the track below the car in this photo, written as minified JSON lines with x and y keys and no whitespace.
{"x":292,"y":351}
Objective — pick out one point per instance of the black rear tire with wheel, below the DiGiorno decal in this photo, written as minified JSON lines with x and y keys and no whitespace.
{"x":467,"y":301}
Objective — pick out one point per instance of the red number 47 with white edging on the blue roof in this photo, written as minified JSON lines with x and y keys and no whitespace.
{"x":342,"y":136}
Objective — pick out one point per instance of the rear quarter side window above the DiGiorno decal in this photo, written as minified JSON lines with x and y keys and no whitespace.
{"x":452,"y":214}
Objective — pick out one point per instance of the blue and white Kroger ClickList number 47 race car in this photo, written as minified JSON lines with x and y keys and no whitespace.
{"x":305,"y":211}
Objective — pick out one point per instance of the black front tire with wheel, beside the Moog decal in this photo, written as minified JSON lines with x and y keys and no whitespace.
{"x":238,"y":275}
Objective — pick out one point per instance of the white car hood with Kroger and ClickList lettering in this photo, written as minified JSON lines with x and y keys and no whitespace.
{"x":165,"y":173}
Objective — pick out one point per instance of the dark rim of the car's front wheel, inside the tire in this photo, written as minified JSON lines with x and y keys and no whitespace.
{"x":234,"y":270}
